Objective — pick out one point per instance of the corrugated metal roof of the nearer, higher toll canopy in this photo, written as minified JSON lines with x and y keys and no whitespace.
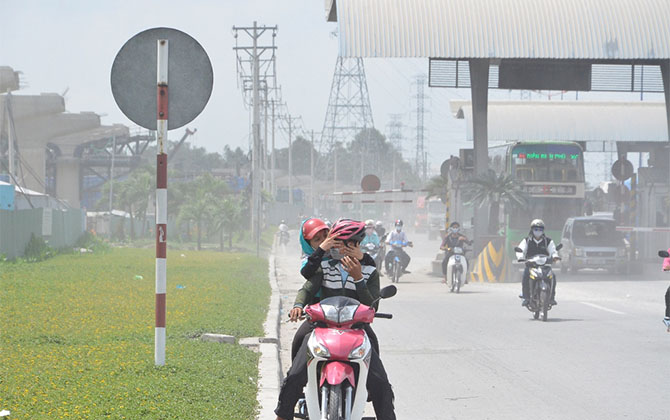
{"x":565,"y":29}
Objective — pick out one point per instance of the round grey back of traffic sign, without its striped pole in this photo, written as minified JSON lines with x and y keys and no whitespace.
{"x":190,"y":78}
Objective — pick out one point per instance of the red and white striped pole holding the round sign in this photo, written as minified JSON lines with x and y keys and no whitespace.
{"x":161,"y":201}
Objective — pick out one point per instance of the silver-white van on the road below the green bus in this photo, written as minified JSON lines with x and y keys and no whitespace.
{"x":592,"y":242}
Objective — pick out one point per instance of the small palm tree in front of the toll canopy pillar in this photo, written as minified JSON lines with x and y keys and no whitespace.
{"x":496,"y":190}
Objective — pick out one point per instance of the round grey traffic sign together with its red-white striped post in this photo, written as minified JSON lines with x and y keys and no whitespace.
{"x":143,"y":98}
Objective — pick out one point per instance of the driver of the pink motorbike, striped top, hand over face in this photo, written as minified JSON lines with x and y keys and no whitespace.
{"x":341,"y":276}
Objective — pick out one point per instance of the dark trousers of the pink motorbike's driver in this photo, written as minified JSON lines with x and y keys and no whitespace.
{"x":379,"y":388}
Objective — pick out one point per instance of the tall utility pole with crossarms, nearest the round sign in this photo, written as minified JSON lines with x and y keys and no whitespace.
{"x":255,"y":61}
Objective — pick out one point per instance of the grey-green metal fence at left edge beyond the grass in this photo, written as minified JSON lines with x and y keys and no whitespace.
{"x":17,"y":226}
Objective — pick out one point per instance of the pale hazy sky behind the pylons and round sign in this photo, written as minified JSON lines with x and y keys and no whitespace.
{"x":71,"y":44}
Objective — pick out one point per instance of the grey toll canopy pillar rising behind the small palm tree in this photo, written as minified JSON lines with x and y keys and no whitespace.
{"x":479,"y":85}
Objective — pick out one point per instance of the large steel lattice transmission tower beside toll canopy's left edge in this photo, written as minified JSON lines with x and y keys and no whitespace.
{"x":348,"y":111}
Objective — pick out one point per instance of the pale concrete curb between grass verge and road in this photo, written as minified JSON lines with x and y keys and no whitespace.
{"x":269,"y":365}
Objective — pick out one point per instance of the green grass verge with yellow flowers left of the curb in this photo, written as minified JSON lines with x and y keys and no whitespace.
{"x":77,"y":336}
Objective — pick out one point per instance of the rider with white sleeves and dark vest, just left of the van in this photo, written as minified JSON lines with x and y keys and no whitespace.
{"x":536,"y":243}
